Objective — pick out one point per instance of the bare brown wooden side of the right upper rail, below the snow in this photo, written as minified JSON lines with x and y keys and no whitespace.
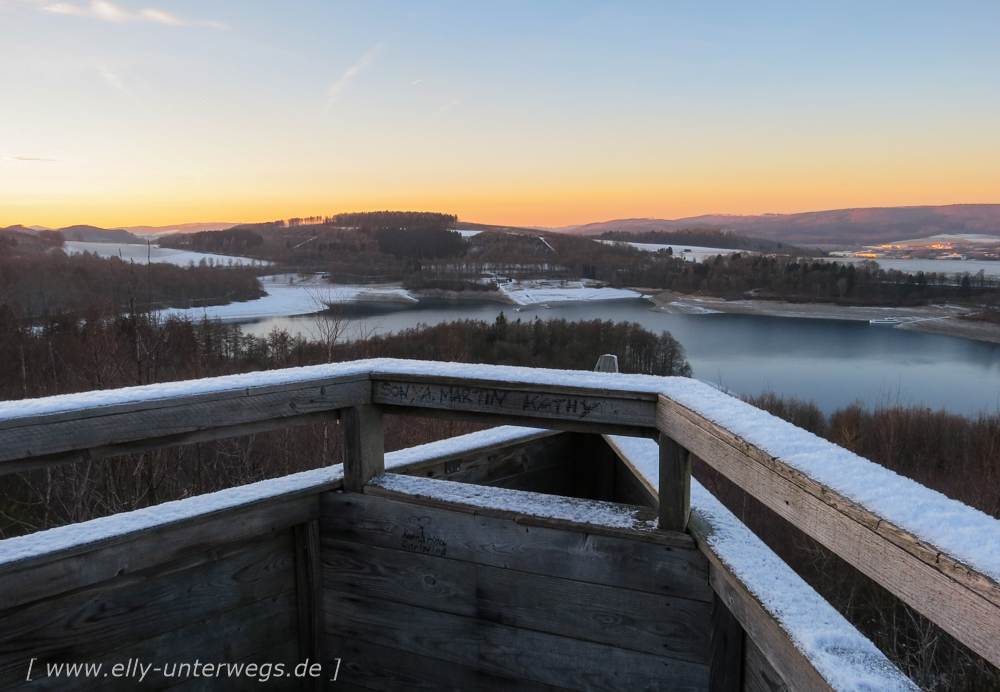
{"x":962,"y":601}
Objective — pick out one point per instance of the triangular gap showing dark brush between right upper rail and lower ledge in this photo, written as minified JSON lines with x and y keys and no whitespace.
{"x":921,"y":649}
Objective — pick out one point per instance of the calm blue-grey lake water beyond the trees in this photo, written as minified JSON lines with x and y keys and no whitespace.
{"x":832,"y":362}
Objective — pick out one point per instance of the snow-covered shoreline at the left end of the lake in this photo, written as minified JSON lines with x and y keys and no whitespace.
{"x":290,"y":294}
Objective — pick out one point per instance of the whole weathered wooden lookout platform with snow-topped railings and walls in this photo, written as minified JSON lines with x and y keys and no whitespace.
{"x":573,"y":553}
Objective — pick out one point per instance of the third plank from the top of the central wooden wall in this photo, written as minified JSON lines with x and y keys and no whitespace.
{"x":518,"y":653}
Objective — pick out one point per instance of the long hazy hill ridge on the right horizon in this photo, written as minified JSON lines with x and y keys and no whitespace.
{"x":827,"y":229}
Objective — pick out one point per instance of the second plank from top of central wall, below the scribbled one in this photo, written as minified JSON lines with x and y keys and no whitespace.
{"x":635,"y":620}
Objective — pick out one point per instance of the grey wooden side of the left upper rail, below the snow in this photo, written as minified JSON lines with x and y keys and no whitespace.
{"x":102,"y":431}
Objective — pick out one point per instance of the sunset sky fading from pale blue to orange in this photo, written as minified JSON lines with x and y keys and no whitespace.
{"x":531,"y":113}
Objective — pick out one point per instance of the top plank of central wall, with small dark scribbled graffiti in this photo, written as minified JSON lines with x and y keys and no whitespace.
{"x":659,"y":569}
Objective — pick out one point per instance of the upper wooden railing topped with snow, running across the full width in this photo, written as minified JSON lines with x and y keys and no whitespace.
{"x":938,"y":555}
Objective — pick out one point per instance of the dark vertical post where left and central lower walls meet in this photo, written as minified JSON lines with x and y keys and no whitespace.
{"x":309,"y":596}
